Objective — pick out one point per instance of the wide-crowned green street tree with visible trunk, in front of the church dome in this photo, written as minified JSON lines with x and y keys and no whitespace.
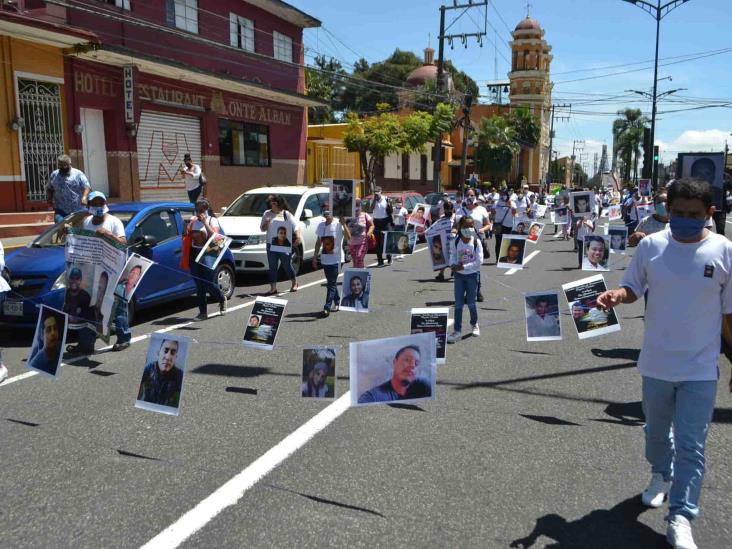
{"x":376,"y":137}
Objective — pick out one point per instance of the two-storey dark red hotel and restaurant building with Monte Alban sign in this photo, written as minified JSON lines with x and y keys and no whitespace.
{"x":222,"y":80}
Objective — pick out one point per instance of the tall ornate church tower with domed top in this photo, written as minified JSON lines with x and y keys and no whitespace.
{"x":531,"y":87}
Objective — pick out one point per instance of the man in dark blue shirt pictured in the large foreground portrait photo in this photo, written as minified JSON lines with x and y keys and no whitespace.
{"x":404,"y":384}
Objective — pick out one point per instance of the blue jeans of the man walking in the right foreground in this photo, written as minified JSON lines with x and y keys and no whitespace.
{"x":678,"y":453}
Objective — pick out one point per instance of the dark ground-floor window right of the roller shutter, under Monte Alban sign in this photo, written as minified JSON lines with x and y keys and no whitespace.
{"x":243,"y":144}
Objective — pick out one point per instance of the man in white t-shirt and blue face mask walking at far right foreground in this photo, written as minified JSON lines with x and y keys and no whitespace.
{"x":687,"y":271}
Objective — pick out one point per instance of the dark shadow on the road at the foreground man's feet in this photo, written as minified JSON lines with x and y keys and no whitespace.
{"x":600,"y":529}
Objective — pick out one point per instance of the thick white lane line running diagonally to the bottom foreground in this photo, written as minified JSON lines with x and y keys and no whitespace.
{"x":234,"y":489}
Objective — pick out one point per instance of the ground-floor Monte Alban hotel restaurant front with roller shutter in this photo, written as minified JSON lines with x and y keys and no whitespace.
{"x":139,"y":122}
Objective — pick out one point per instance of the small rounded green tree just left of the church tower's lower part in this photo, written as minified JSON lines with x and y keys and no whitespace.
{"x":497,"y":145}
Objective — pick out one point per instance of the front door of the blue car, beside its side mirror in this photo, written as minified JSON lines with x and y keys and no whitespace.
{"x":164,"y":277}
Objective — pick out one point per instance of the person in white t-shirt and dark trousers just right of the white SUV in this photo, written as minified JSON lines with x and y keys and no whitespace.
{"x":330,"y":238}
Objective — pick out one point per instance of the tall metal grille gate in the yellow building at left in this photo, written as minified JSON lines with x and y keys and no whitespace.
{"x":42,"y":133}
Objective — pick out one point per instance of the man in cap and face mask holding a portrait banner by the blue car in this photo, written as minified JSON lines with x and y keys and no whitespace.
{"x":103,"y":223}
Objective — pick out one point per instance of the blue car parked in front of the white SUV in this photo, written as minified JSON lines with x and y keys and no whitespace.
{"x":153,"y":230}
